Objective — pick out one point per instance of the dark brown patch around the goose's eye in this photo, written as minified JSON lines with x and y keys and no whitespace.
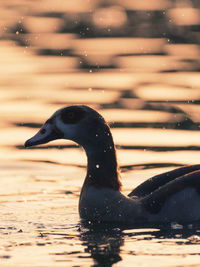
{"x":72,"y":115}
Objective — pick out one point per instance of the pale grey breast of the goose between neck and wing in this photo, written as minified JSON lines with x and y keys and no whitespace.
{"x":106,"y":204}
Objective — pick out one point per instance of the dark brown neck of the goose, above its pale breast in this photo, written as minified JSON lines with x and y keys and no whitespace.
{"x":102,"y":169}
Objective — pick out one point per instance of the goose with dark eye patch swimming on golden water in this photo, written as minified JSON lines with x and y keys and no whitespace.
{"x":173,"y":196}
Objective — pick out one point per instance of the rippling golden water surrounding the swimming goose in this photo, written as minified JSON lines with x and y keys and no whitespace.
{"x":141,"y":72}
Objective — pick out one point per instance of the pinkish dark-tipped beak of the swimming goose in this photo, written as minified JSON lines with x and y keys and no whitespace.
{"x":47,"y":133}
